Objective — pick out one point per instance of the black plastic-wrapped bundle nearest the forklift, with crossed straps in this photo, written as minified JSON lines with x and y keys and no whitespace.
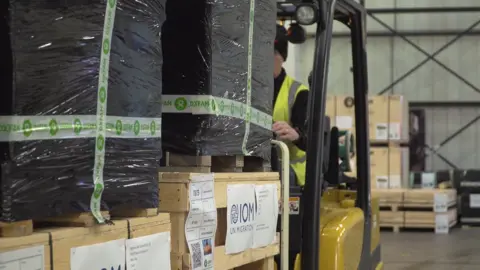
{"x":218,"y":77}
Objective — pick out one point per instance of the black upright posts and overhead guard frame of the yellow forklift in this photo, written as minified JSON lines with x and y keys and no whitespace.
{"x":323,"y":13}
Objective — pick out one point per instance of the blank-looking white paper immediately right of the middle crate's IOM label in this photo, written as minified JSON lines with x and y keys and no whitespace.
{"x":266,"y":216}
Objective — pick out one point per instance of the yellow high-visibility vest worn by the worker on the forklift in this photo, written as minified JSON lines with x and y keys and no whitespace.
{"x":281,"y":112}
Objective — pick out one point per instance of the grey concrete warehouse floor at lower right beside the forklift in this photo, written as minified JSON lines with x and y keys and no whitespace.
{"x":458,"y":250}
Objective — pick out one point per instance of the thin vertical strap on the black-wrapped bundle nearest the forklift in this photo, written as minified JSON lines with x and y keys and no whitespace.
{"x":249,"y":76}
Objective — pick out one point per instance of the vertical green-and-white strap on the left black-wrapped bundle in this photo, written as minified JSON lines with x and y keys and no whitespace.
{"x":101,"y":127}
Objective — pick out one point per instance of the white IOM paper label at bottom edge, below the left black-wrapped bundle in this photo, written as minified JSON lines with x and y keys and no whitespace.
{"x":108,"y":255}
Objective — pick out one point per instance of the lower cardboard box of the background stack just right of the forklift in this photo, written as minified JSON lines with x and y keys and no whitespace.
{"x":389,"y":167}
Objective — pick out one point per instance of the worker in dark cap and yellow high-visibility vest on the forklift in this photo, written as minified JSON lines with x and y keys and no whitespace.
{"x":290,"y":110}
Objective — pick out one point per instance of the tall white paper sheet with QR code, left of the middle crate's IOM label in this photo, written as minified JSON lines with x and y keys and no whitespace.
{"x":201,"y":224}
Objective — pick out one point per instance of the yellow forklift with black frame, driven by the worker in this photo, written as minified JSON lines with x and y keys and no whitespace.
{"x":333,"y":228}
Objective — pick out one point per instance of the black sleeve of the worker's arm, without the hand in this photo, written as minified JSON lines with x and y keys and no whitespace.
{"x":299,"y":119}
